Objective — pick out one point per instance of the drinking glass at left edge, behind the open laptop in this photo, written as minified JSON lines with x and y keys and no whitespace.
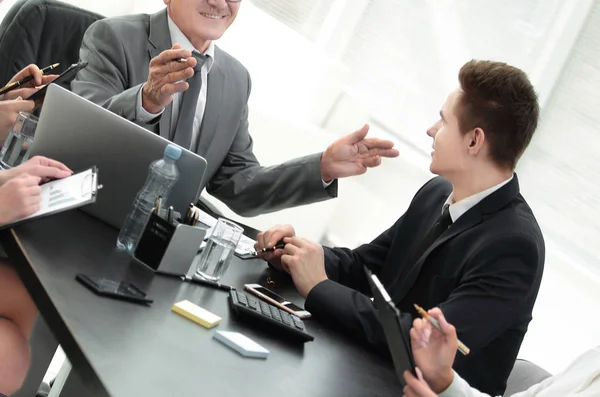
{"x":18,"y":143}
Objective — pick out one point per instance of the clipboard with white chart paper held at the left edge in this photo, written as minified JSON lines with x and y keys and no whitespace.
{"x":65,"y":194}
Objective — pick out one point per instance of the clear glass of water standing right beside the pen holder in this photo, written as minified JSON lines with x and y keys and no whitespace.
{"x":219,"y":249}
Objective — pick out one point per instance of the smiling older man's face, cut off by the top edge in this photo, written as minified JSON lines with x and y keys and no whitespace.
{"x":202,"y":20}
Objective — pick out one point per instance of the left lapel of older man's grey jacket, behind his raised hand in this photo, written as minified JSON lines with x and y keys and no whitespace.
{"x":159,"y":40}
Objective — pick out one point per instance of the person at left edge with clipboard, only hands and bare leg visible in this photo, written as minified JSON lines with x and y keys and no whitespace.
{"x":19,"y":197}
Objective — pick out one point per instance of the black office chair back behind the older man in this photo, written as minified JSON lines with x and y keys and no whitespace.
{"x":41,"y":32}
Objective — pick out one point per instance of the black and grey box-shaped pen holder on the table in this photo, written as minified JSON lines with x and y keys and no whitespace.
{"x":168,"y":248}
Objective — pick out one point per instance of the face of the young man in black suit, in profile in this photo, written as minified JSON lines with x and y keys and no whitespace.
{"x":450,"y":147}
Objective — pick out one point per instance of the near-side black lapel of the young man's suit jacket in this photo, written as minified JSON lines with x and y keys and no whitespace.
{"x":488,"y":206}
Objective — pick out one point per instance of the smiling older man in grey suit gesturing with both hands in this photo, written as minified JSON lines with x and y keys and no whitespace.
{"x":164,"y":72}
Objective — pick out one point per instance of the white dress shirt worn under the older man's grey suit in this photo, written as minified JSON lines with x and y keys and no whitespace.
{"x":178,"y":37}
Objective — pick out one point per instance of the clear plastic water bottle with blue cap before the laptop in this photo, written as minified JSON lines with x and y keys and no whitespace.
{"x":162,"y":176}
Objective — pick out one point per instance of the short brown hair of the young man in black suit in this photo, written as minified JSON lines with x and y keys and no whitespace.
{"x":499,"y":99}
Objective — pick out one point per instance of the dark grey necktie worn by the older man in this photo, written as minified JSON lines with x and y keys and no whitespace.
{"x":189,"y":102}
